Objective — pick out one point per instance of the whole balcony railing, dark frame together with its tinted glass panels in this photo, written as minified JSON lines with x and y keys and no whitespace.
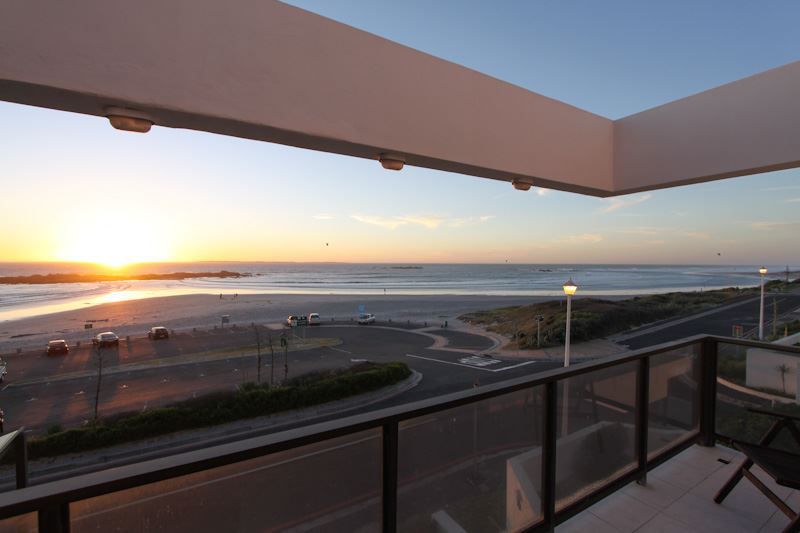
{"x":525,"y":454}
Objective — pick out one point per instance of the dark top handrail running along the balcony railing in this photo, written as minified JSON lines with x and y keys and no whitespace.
{"x":93,"y":484}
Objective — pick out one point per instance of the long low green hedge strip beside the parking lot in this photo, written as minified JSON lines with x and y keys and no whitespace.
{"x":250,"y":401}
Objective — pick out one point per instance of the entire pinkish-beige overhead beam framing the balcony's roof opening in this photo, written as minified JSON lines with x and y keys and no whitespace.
{"x":264,"y":70}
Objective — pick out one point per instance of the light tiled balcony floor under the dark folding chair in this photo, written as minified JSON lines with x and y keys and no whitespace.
{"x":679,"y":497}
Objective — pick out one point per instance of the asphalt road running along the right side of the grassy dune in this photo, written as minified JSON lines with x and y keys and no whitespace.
{"x":717,"y":323}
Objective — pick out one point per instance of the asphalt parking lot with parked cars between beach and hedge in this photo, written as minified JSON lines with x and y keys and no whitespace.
{"x":43,"y":391}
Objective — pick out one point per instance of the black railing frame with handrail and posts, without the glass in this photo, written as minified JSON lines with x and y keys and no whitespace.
{"x":52,"y":500}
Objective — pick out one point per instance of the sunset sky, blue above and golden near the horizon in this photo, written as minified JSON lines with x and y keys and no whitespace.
{"x":74,"y":189}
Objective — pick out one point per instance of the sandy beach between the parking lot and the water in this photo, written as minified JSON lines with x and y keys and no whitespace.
{"x":135,"y":317}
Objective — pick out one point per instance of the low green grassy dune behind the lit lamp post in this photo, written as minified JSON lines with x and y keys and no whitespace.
{"x":594,"y":318}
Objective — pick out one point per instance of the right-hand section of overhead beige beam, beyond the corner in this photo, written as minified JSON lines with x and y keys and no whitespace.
{"x":745,"y":127}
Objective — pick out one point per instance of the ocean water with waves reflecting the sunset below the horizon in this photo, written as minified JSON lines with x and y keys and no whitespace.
{"x":19,"y":301}
